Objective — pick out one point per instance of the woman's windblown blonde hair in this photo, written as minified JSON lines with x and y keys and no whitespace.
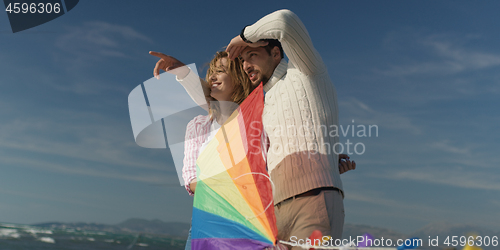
{"x":242,"y":84}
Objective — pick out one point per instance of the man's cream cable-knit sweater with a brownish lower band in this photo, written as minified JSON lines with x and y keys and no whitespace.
{"x":300,"y":110}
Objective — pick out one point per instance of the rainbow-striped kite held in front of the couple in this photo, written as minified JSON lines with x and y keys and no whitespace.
{"x":233,"y":202}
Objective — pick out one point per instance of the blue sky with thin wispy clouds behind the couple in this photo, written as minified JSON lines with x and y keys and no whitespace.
{"x":425,"y":72}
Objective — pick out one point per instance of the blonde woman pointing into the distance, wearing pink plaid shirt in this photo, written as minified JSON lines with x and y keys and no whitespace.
{"x":226,"y":86}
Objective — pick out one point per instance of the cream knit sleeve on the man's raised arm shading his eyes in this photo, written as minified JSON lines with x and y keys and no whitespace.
{"x":286,"y":27}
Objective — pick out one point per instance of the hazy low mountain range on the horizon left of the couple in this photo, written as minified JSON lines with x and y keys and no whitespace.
{"x":176,"y":229}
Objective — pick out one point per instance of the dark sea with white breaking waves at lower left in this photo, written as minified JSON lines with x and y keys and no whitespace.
{"x":20,"y":237}
